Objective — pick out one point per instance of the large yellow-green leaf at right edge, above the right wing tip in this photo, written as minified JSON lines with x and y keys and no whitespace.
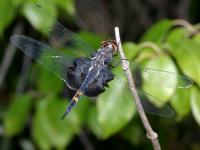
{"x":186,"y":53}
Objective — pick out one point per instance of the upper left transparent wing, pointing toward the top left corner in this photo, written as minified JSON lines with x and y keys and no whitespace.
{"x":61,"y":37}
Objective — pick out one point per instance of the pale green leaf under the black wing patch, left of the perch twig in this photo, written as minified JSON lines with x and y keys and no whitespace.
{"x":115,"y":108}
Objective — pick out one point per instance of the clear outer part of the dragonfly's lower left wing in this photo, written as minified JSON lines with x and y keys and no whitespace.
{"x":52,"y":60}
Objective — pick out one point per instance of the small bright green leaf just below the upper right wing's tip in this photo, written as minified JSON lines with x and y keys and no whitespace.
{"x":181,"y":102}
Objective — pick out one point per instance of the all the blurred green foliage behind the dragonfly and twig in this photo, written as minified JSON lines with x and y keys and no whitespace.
{"x":41,"y":107}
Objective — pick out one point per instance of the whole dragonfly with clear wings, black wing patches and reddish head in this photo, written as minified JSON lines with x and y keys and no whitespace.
{"x":84,"y":69}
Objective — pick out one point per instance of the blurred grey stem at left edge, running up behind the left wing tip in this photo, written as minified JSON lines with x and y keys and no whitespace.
{"x":8,"y":56}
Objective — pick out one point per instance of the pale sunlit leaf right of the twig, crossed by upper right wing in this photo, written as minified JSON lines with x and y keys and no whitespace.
{"x":160,"y":86}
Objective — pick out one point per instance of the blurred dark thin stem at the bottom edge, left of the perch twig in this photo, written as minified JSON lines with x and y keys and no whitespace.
{"x":85,"y":141}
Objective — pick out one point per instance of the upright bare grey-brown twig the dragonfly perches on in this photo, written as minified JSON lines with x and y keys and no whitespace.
{"x":150,"y":133}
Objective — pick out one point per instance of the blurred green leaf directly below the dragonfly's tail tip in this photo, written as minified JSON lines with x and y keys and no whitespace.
{"x":47,"y":124}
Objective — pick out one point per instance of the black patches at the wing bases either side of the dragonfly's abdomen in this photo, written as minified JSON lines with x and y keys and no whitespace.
{"x":78,"y":73}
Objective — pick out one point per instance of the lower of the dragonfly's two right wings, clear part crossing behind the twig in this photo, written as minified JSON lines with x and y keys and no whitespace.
{"x":125,"y":93}
